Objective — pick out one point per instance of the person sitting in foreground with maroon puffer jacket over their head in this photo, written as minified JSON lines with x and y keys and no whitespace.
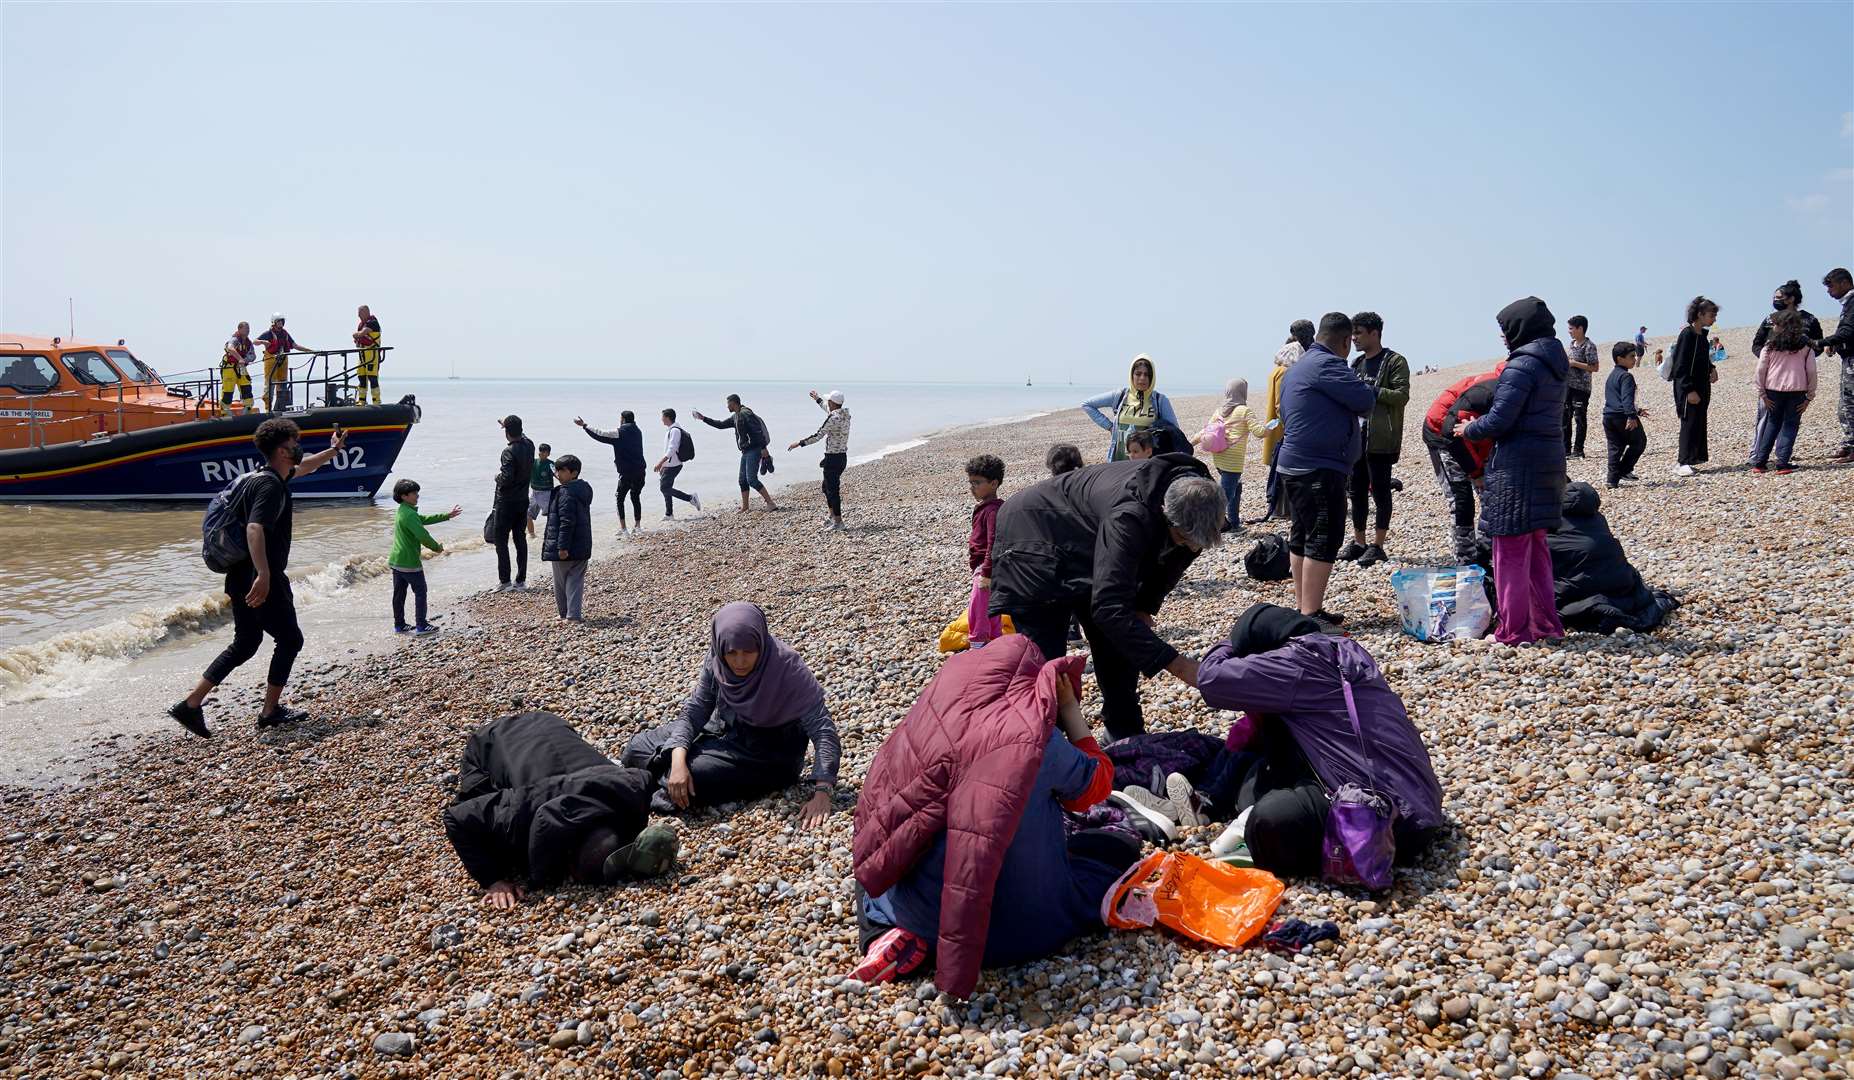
{"x":961,"y":849}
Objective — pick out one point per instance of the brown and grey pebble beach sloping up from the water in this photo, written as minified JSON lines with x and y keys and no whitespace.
{"x":1649,"y":872}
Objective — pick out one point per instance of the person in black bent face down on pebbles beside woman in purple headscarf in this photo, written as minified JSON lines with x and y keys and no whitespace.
{"x":539,"y":805}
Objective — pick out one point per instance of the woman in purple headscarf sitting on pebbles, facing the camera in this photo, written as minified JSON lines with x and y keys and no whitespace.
{"x":743,"y":731}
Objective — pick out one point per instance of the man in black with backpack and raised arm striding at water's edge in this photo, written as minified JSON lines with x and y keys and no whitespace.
{"x":260,"y":586}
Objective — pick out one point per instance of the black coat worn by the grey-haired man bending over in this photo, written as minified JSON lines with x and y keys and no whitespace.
{"x":1097,"y":536}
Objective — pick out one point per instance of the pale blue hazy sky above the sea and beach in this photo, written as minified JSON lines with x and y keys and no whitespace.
{"x":950,"y":194}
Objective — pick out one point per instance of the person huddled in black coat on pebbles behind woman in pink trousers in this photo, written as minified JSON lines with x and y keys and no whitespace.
{"x":1597,"y":588}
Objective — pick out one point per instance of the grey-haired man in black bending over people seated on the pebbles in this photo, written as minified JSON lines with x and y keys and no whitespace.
{"x":1106,"y":546}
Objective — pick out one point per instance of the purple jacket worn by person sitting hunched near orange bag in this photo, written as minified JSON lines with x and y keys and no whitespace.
{"x":1301,"y":683}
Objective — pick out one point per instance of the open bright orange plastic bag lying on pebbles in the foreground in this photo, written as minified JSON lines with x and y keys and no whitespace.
{"x":1204,"y":901}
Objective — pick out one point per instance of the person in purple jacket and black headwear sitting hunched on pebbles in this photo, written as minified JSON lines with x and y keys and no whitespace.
{"x":1325,"y":722}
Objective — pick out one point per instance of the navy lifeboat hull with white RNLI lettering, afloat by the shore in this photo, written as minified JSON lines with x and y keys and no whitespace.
{"x":196,"y":460}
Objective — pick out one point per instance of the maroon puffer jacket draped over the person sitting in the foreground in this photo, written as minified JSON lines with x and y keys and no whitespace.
{"x":963,"y":762}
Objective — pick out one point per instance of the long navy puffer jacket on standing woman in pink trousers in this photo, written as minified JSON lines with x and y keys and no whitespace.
{"x":1525,"y":484}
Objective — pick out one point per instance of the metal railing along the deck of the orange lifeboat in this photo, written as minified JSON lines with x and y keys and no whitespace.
{"x":57,"y":416}
